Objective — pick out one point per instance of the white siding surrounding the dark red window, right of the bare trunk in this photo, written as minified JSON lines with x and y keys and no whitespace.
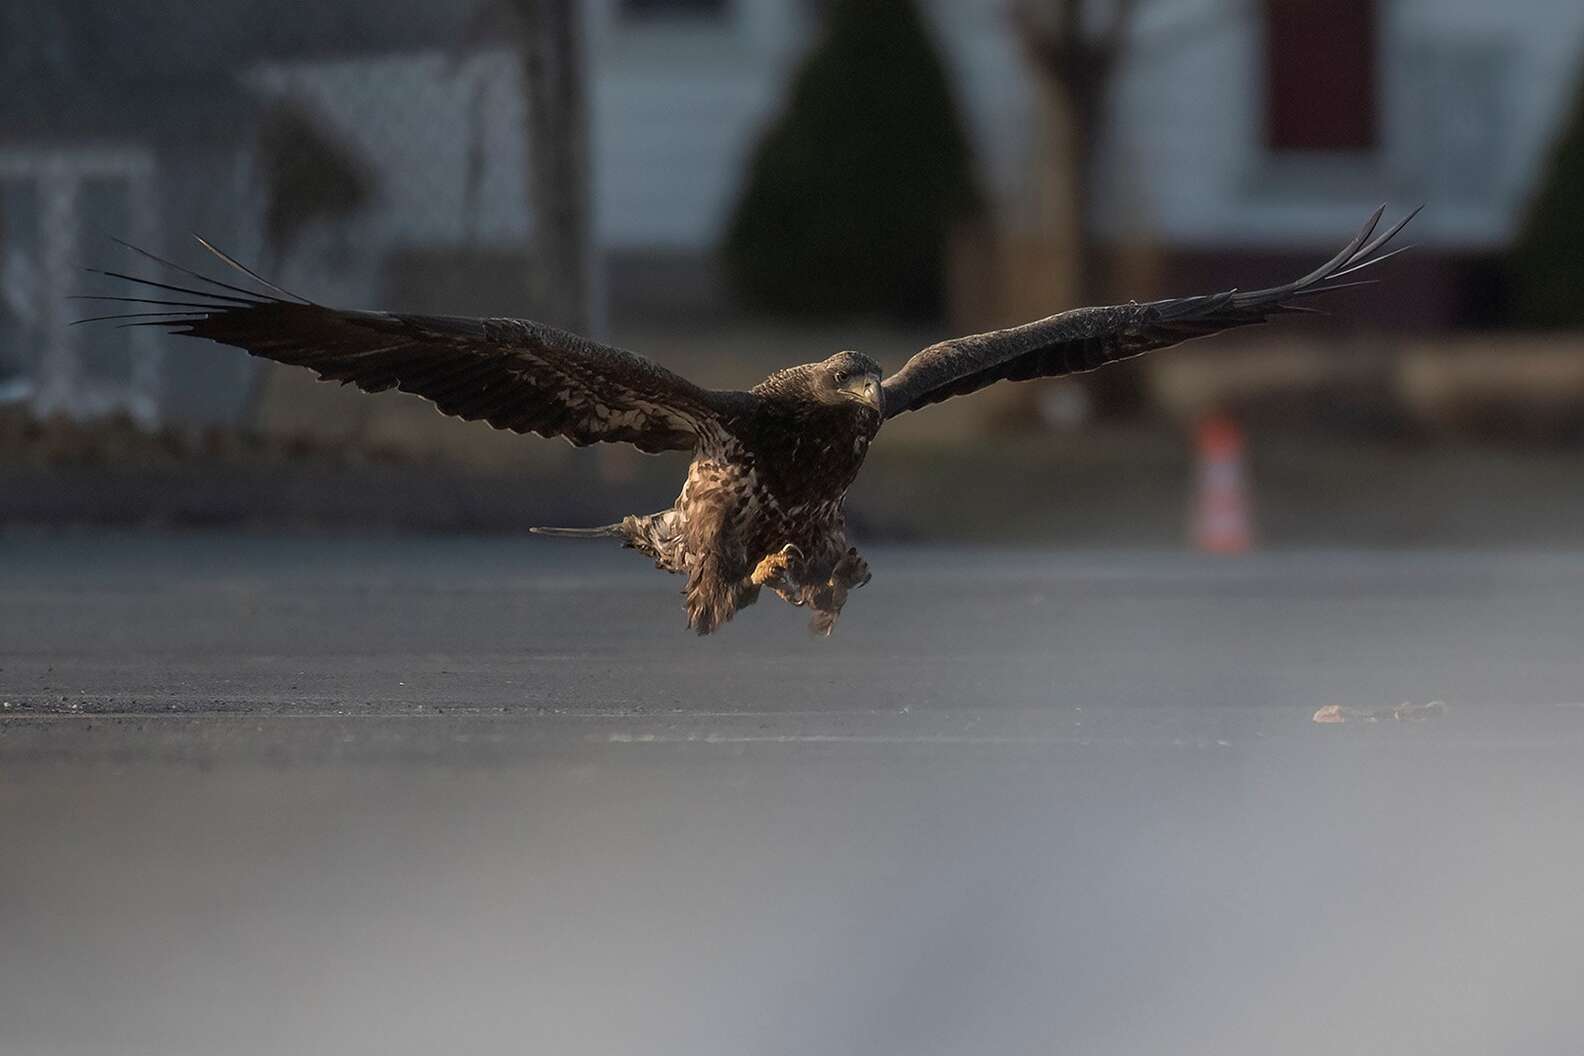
{"x":1472,"y":94}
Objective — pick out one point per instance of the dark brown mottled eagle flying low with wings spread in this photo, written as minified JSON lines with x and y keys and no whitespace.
{"x":763,"y":504}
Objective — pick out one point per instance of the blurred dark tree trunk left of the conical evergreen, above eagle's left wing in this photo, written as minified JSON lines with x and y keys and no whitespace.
{"x":558,"y":150}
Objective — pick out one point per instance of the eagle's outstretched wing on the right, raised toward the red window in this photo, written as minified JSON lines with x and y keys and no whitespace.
{"x":1086,"y":340}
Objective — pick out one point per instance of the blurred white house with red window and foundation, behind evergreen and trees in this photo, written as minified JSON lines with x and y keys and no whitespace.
{"x":1243,"y":137}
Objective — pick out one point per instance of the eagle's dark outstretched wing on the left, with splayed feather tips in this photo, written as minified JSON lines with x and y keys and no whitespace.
{"x":514,"y":374}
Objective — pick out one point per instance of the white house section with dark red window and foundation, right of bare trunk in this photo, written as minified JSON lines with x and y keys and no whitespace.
{"x":1246,"y":139}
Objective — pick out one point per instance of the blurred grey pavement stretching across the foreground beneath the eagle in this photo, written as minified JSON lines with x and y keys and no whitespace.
{"x":468,"y":796}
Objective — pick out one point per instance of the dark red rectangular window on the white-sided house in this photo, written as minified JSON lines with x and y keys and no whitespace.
{"x":1320,"y":75}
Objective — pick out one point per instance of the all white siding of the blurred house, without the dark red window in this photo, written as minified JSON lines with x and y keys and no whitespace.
{"x":1472,"y":94}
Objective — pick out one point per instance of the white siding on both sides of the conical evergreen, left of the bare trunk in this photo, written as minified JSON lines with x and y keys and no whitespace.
{"x":680,"y":107}
